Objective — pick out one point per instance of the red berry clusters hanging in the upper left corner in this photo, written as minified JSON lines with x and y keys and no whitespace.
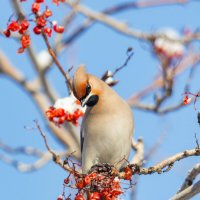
{"x":41,"y":20}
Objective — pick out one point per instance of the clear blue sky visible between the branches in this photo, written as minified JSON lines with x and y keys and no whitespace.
{"x":100,"y":48}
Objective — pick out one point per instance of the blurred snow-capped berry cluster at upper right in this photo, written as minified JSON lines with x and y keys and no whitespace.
{"x":168,"y":44}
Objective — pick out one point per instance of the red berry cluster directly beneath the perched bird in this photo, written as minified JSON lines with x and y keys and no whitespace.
{"x":101,"y":183}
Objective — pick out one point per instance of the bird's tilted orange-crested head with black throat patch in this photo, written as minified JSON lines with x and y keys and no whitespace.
{"x":86,"y":88}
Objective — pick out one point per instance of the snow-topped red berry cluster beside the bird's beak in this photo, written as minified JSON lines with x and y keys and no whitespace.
{"x":66,"y":109}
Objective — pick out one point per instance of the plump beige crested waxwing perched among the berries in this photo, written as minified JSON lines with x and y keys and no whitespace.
{"x":107,"y":125}
